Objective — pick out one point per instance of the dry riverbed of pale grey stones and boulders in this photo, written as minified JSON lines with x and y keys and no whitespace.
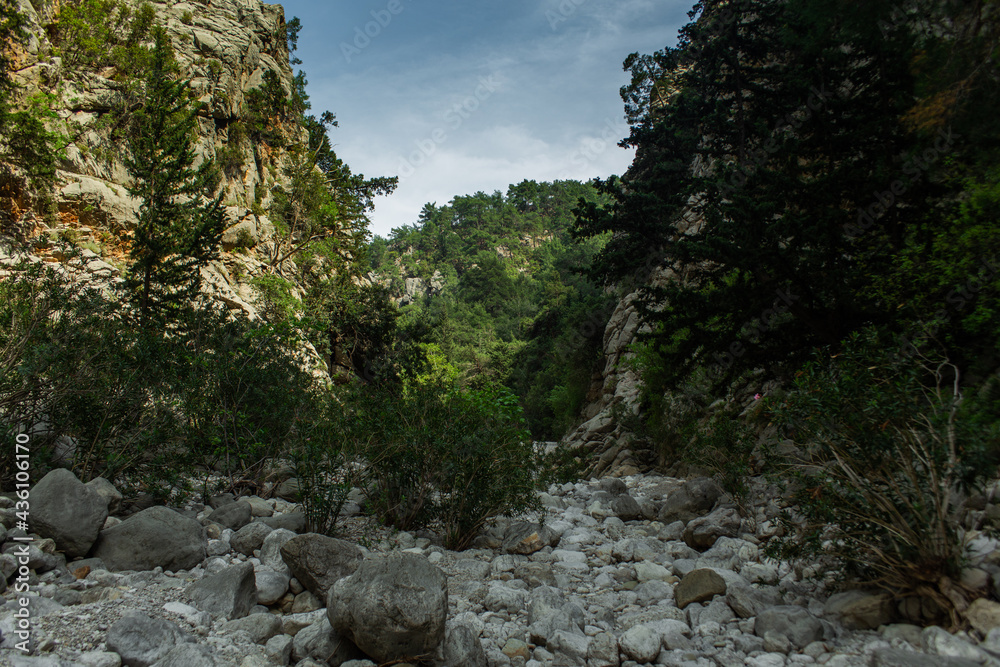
{"x":631,"y":571}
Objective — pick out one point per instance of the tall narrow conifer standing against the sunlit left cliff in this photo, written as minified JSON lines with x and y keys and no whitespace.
{"x":180,"y":224}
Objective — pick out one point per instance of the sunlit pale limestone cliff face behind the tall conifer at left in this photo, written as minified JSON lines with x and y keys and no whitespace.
{"x":224,"y":47}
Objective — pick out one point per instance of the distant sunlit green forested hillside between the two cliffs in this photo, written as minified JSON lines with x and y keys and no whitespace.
{"x":497,"y":285}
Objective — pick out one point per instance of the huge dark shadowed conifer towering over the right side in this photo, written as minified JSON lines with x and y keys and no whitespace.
{"x":758,"y":141}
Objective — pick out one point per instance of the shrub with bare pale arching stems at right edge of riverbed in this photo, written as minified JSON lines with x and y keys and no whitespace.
{"x":886,"y":449}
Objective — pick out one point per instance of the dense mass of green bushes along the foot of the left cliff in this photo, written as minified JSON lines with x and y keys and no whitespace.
{"x":217,"y":396}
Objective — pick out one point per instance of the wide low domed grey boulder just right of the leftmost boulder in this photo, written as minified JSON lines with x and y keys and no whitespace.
{"x":154,"y":537}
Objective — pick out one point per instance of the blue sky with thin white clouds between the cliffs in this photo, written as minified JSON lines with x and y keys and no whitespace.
{"x":459,"y":97}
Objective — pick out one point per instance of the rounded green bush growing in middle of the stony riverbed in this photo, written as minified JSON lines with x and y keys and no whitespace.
{"x":444,"y":458}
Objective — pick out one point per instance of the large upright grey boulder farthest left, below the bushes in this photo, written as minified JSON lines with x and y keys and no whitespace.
{"x":68,"y":511}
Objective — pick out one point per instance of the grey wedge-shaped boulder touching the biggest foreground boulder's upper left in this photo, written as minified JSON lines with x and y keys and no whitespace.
{"x":318,"y":561}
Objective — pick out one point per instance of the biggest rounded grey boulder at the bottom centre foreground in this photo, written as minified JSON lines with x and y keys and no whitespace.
{"x":393,"y":607}
